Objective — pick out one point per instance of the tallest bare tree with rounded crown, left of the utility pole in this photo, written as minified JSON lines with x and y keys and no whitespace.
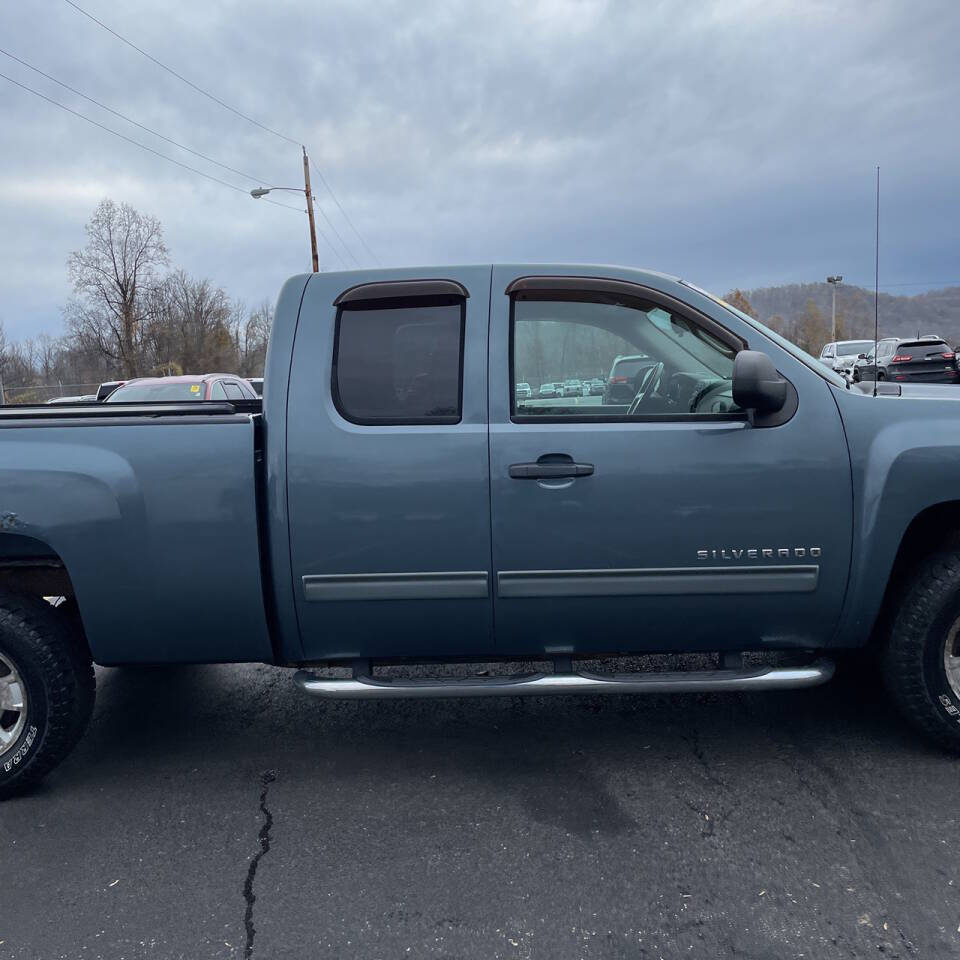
{"x":112,"y":278}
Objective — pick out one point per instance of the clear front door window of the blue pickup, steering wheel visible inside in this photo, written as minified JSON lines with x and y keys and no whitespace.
{"x":652,"y":362}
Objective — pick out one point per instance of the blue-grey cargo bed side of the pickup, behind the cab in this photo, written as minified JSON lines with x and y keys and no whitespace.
{"x":153,"y":511}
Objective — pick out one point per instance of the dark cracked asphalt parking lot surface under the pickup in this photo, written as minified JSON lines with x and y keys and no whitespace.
{"x":218,"y":812}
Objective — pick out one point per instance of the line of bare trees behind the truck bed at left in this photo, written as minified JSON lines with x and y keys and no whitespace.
{"x":132,"y":314}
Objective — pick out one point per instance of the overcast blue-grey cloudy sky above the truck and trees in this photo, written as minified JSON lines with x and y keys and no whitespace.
{"x":732,"y":142}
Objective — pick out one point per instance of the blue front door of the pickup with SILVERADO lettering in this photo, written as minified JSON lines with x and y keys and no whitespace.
{"x":665,"y":520}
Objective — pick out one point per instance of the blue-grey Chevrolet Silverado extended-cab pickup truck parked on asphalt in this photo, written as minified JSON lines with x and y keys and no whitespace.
{"x":393,"y":501}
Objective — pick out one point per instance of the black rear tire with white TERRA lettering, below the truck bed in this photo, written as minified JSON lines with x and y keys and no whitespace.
{"x":55,"y":673}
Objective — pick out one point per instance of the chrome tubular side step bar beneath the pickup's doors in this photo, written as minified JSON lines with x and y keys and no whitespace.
{"x":544,"y":684}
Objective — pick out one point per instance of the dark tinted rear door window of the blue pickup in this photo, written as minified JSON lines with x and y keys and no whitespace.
{"x":399,"y":362}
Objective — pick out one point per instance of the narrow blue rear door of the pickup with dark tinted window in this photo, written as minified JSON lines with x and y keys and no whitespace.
{"x":387,"y":465}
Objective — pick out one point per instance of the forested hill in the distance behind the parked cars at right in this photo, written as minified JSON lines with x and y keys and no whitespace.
{"x":801,"y":311}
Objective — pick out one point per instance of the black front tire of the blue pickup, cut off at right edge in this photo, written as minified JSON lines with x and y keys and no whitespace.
{"x":925,"y":624}
